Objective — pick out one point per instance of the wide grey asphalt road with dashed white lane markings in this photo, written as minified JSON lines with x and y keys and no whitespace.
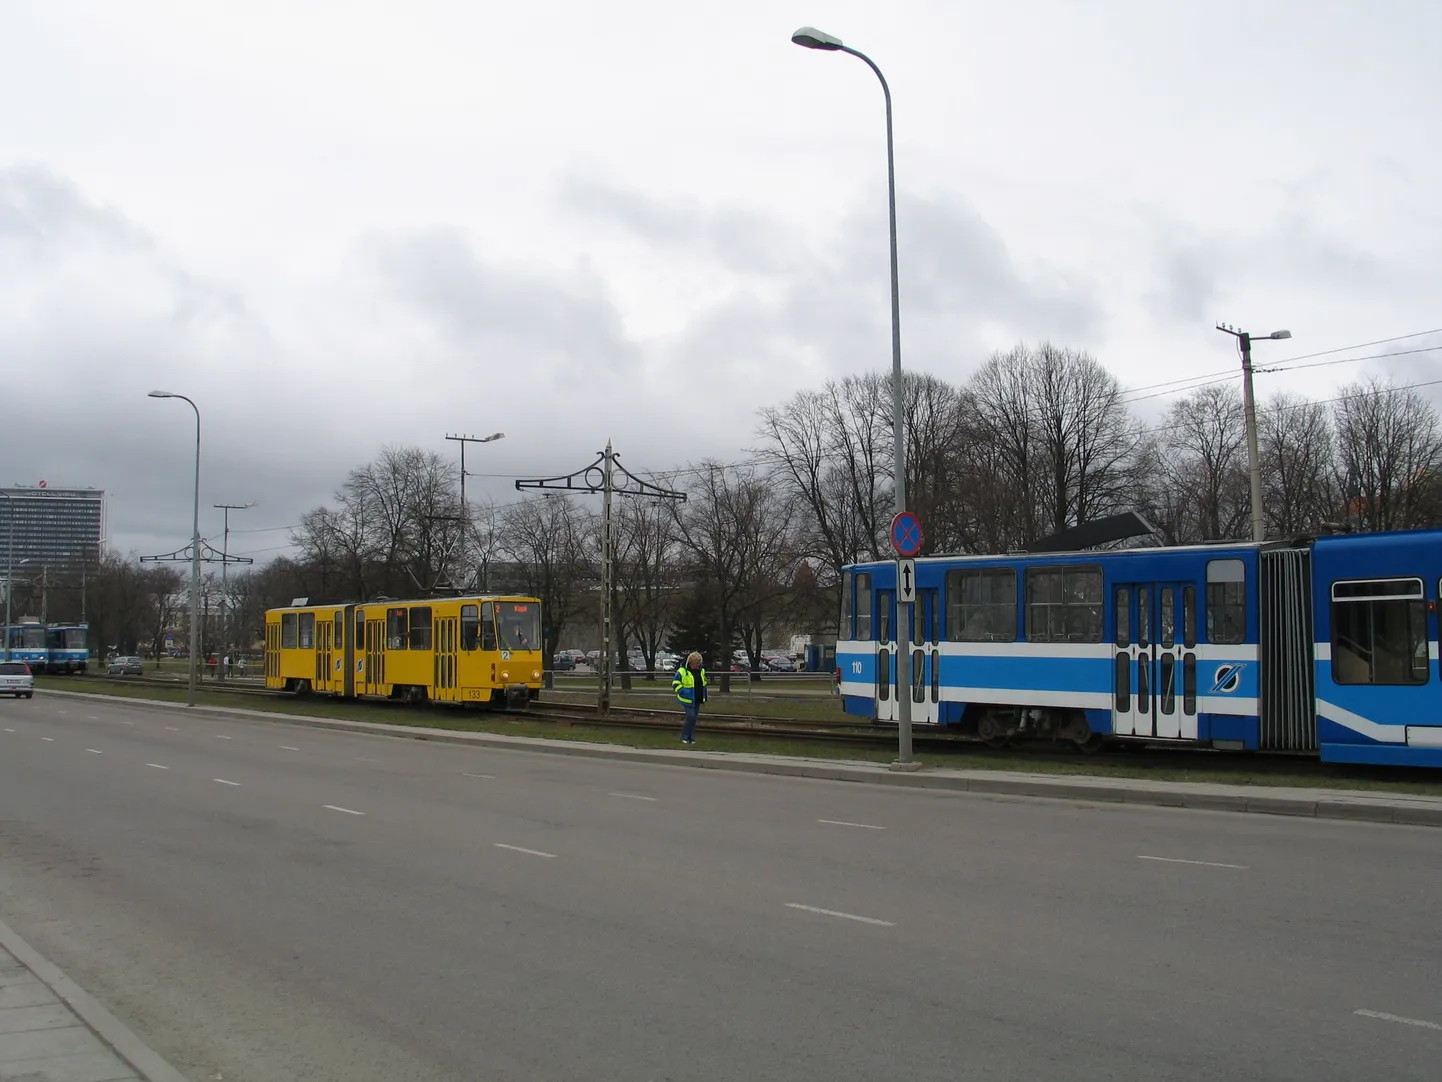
{"x":266,"y":902}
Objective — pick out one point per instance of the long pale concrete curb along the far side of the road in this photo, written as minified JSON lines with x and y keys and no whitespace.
{"x":1332,"y":806}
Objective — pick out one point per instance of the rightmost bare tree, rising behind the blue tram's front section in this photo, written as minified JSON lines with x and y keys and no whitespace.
{"x":1389,"y":452}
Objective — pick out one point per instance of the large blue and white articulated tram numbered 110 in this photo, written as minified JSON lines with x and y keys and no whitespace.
{"x":1322,"y":647}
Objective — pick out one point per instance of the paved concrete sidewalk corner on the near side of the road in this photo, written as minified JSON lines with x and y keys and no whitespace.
{"x":51,"y":1031}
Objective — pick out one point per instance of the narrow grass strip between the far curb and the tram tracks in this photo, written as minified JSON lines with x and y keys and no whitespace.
{"x":1160,"y":765}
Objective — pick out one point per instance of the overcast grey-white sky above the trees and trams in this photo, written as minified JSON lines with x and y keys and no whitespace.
{"x":345,"y":224}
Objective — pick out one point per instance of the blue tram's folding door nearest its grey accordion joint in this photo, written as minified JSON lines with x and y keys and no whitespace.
{"x":1156,"y":660}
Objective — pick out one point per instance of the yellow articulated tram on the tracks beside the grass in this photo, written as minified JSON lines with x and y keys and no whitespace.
{"x":448,"y":650}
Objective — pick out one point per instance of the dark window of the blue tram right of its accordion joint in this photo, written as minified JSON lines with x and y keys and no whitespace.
{"x":1379,"y":633}
